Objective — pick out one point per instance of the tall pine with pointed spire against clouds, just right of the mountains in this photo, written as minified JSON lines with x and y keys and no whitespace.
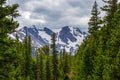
{"x":88,"y":48}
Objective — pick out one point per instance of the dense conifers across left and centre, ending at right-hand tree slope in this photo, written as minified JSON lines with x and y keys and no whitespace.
{"x":16,"y":60}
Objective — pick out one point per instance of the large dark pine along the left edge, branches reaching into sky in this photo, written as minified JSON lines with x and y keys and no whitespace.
{"x":7,"y":49}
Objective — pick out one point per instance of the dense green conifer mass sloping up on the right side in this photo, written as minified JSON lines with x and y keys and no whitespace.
{"x":98,"y":58}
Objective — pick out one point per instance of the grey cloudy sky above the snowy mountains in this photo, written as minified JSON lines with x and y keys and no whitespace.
{"x":54,"y":13}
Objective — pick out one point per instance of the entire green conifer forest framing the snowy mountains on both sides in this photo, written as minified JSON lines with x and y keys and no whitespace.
{"x":98,"y":57}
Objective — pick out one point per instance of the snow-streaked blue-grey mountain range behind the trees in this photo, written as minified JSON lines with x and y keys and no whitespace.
{"x":68,"y":37}
